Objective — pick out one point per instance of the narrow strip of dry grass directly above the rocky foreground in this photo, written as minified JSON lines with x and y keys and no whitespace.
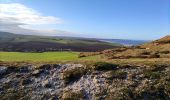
{"x":133,"y":61}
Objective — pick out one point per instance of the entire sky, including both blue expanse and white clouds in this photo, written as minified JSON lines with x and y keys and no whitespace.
{"x":112,"y":19}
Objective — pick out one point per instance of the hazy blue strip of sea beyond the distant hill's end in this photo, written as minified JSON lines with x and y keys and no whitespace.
{"x":126,"y":42}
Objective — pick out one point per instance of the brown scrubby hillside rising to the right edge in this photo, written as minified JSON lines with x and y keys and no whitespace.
{"x":156,"y":49}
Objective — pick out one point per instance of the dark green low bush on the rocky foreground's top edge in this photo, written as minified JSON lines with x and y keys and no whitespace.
{"x":104,"y":66}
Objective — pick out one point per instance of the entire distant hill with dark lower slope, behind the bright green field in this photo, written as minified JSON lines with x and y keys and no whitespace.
{"x":30,"y":43}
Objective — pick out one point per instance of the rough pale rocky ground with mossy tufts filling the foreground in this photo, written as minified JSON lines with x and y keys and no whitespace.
{"x":101,"y":81}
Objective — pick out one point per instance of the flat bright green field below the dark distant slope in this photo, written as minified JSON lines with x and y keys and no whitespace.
{"x":46,"y":56}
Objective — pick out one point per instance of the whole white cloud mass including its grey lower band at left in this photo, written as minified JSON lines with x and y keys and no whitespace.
{"x":17,"y":18}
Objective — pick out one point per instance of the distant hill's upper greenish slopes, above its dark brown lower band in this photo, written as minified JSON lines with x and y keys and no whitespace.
{"x":15,"y":38}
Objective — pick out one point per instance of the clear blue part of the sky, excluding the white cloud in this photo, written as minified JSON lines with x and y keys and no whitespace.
{"x":123,"y":19}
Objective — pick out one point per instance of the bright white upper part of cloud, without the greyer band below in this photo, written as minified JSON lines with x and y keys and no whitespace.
{"x":16,"y":13}
